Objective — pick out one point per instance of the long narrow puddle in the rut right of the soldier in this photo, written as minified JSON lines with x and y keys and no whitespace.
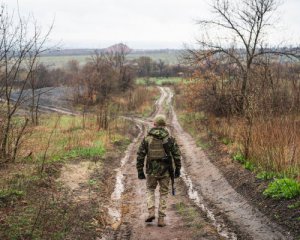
{"x":222,"y":229}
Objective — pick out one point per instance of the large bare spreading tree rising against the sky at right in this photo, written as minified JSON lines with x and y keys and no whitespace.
{"x":243,"y":25}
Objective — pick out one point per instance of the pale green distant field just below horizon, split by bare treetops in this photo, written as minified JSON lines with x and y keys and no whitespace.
{"x":60,"y":61}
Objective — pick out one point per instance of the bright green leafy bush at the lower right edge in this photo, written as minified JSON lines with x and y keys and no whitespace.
{"x":283,"y":188}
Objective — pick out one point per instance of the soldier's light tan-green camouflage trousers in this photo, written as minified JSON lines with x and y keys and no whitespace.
{"x":163,"y":183}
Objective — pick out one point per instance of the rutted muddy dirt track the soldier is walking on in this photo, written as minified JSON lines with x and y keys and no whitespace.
{"x":223,"y":212}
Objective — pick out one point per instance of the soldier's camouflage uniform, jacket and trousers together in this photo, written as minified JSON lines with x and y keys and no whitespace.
{"x":156,"y":169}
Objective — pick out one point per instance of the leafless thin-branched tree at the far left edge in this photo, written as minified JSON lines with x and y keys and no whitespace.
{"x":19,"y":50}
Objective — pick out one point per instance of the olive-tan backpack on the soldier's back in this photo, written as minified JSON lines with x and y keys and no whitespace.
{"x":155,"y":148}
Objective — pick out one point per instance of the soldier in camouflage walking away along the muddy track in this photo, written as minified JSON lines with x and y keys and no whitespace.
{"x":157,"y":168}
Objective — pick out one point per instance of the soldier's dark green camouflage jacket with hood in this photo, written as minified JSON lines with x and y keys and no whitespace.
{"x":157,"y":167}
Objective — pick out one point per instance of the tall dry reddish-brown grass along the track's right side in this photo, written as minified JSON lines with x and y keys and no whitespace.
{"x":271,"y":144}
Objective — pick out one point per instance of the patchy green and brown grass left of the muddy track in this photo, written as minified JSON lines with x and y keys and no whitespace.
{"x":34,"y":205}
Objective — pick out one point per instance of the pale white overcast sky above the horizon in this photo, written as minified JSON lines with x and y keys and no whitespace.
{"x":146,"y":24}
